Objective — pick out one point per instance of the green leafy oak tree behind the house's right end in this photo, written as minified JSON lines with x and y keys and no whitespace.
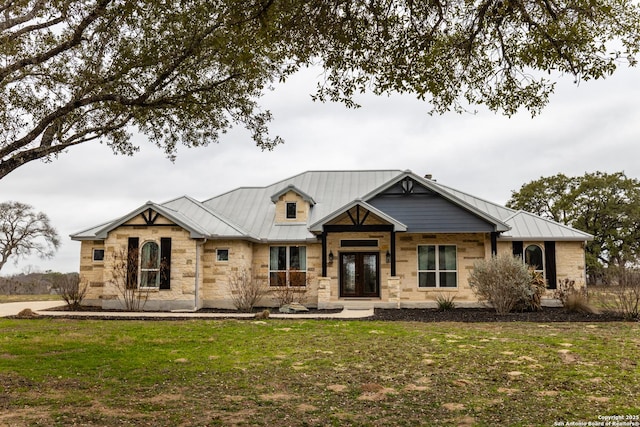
{"x":604,"y":205}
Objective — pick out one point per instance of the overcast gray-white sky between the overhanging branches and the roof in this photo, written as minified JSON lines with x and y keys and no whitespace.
{"x":593,"y":126}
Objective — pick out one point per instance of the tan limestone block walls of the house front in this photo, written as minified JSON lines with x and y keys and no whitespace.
{"x":200,"y":279}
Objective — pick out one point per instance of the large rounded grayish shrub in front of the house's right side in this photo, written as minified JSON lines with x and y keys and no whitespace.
{"x":504,"y":281}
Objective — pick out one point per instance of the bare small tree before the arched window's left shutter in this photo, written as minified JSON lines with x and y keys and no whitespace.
{"x":124,"y":267}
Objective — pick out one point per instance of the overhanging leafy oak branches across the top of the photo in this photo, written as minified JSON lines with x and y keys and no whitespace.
{"x":185,"y":71}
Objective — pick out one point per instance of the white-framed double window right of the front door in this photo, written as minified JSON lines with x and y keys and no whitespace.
{"x":437,"y":266}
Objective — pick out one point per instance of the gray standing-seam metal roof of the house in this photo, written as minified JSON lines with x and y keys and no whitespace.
{"x":249,"y":212}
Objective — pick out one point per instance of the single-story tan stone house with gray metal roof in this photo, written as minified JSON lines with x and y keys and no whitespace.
{"x":388,"y":237}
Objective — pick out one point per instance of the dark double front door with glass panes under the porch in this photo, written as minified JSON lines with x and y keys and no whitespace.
{"x":359,"y":274}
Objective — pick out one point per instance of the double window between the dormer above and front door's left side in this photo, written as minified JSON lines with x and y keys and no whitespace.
{"x":288,"y":266}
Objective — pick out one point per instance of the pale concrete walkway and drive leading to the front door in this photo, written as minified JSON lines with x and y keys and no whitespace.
{"x":40,"y":307}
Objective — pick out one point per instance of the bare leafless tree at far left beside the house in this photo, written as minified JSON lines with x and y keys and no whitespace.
{"x":24,"y":232}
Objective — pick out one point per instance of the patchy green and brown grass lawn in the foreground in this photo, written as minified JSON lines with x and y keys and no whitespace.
{"x":316,"y":373}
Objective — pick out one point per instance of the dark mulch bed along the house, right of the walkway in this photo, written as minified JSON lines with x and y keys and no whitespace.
{"x":546,"y":315}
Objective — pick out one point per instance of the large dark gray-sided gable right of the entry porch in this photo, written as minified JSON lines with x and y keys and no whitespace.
{"x":423,"y":210}
